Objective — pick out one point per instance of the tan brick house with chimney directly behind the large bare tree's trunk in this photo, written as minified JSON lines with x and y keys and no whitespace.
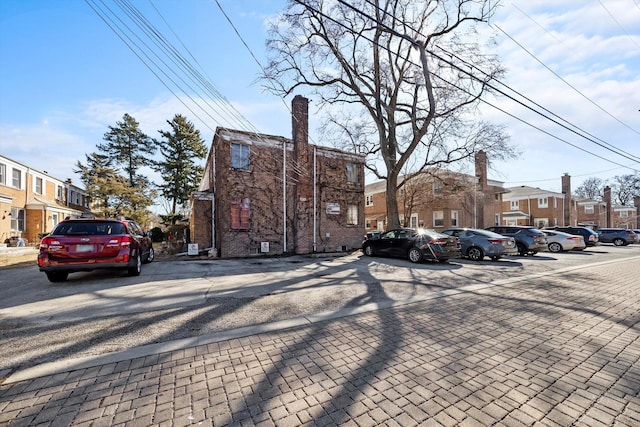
{"x":439,"y":199}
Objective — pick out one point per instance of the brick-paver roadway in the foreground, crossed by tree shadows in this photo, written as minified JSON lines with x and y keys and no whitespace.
{"x":551,"y":350}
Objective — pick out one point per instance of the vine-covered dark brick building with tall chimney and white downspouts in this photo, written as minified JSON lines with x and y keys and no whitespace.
{"x":270,"y":195}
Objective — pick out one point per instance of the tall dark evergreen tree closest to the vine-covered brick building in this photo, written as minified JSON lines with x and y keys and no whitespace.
{"x":180,"y":148}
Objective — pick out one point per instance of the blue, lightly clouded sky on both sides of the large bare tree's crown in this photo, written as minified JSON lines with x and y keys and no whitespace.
{"x":66,"y":76}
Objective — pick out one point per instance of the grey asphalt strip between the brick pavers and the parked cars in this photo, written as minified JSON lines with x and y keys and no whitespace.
{"x":101,"y":312}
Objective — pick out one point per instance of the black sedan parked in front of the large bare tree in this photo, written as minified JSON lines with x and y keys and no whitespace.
{"x":416,"y":244}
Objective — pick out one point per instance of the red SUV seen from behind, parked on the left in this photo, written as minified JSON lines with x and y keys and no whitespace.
{"x":92,"y":244}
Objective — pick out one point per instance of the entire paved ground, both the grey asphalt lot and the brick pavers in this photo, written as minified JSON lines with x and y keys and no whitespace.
{"x":546,"y":340}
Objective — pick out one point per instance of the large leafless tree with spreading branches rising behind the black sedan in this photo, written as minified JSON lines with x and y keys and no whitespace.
{"x":402,"y":79}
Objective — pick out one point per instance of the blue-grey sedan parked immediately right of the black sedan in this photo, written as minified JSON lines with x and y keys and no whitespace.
{"x":476,"y":244}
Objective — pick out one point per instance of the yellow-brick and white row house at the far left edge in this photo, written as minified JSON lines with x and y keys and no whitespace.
{"x":32,"y":202}
